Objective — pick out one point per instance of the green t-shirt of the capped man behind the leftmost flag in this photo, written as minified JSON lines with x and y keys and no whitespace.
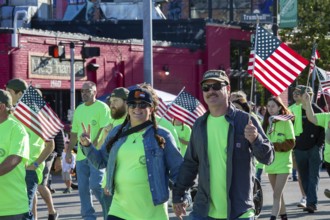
{"x":37,"y":145}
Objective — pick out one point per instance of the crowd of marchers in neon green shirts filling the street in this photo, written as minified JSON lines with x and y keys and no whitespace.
{"x":131,"y":159}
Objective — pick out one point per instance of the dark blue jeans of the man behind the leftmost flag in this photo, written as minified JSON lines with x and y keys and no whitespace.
{"x":31,"y":180}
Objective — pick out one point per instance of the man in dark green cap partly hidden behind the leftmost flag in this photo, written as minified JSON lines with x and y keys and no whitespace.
{"x":39,"y":149}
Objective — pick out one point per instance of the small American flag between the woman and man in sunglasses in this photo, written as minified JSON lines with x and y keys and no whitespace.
{"x":186,"y":108}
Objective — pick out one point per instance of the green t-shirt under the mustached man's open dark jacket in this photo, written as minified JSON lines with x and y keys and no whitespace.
{"x":217,"y":133}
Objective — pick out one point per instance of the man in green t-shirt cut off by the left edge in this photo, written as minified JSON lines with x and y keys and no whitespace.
{"x":14,"y":148}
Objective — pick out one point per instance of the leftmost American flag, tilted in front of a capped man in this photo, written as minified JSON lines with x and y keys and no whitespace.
{"x":37,"y":115}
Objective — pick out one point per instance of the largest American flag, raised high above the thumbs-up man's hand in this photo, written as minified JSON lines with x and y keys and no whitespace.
{"x":274,"y":64}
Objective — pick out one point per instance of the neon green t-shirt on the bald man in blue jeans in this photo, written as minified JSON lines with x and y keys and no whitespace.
{"x":96,"y":115}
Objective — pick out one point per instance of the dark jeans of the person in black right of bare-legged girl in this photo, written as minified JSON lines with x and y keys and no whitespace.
{"x":308,"y":164}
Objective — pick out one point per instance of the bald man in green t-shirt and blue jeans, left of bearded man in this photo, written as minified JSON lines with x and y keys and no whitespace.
{"x":96,"y":114}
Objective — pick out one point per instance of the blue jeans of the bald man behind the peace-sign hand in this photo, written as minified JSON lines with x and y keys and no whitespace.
{"x":89,"y":181}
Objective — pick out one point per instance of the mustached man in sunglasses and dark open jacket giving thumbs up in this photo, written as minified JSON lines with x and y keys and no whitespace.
{"x":222,"y":148}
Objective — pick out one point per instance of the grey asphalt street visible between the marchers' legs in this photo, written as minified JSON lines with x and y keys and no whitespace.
{"x":68,"y":205}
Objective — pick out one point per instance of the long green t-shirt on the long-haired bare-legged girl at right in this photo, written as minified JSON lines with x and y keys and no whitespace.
{"x":283,"y":130}
